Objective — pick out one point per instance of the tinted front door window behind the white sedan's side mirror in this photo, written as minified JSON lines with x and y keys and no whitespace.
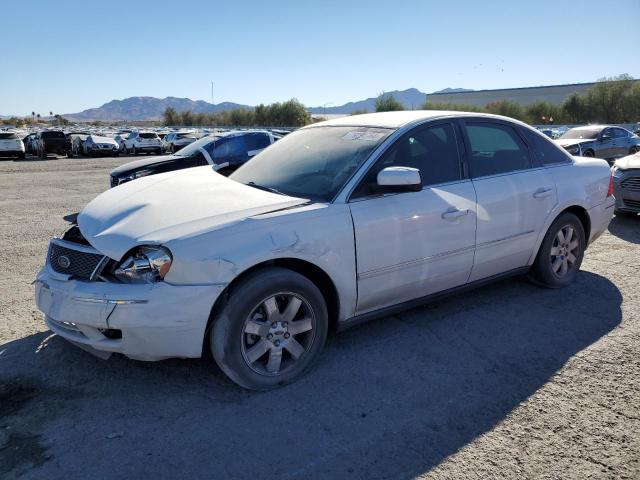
{"x":432,"y":150}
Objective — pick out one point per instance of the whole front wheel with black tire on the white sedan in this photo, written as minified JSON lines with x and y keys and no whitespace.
{"x":257,"y":349}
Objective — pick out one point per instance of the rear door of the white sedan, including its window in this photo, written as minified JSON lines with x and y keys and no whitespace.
{"x":515,"y":196}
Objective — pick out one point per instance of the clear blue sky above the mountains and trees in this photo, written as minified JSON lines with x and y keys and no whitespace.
{"x":66,"y":56}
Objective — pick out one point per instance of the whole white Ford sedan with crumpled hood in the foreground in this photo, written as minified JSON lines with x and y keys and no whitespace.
{"x":334,"y":224}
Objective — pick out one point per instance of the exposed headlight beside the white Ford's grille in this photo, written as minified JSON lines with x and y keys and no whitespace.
{"x":147,"y":264}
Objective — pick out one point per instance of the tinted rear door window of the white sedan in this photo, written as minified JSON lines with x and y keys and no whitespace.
{"x":495,"y":149}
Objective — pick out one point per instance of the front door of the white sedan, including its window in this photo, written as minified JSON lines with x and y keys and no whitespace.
{"x":411,"y":244}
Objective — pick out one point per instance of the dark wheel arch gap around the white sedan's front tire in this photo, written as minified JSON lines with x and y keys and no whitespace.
{"x":315,"y":274}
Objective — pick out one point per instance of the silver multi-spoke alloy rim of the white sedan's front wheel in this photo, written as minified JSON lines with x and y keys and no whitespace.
{"x":278,"y":332}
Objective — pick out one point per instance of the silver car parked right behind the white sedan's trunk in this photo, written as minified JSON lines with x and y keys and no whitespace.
{"x":601,"y":141}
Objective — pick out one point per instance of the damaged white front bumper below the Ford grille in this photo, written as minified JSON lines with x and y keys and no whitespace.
{"x":142,"y":321}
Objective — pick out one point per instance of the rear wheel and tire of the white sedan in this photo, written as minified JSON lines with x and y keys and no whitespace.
{"x":553,"y":267}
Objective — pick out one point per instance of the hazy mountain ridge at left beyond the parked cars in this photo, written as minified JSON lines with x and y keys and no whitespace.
{"x":148,"y":108}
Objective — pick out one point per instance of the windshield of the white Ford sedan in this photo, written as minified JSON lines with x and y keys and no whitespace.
{"x":312,"y":163}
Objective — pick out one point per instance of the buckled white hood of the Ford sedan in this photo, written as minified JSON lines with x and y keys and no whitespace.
{"x":172,"y":205}
